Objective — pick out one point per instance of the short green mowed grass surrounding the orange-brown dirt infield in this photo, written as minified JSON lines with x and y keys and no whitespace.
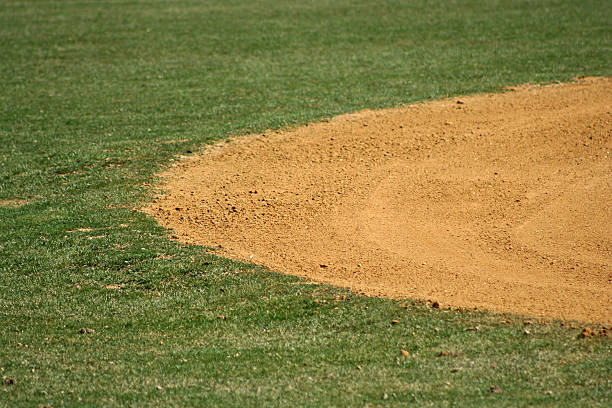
{"x":99,"y":308}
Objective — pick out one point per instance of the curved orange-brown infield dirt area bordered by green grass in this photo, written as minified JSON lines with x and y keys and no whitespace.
{"x":500,"y":202}
